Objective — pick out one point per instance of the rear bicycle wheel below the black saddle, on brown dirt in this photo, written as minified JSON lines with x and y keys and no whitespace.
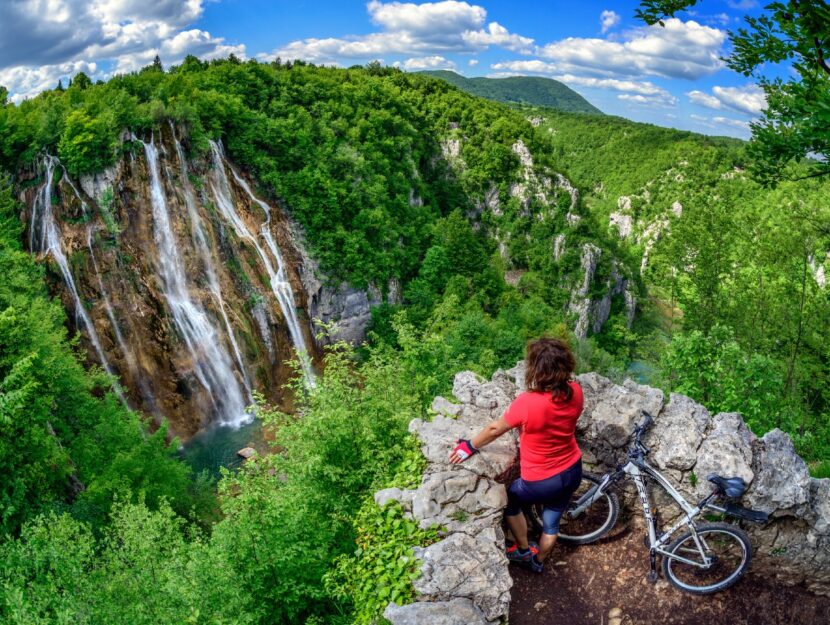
{"x":714,"y":562}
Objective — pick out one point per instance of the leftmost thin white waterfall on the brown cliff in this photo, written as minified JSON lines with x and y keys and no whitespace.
{"x":50,"y":243}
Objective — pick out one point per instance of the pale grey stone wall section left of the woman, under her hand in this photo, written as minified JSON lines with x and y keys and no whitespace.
{"x":464,"y":576}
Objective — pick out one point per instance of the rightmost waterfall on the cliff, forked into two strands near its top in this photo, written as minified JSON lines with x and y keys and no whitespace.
{"x":280,"y":285}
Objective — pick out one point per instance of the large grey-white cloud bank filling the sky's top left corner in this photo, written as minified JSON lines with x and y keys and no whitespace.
{"x":42,"y":41}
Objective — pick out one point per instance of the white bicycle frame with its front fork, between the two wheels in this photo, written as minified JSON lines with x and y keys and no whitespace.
{"x":637,"y":469}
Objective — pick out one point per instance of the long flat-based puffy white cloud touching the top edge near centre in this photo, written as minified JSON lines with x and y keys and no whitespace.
{"x":407,"y":28}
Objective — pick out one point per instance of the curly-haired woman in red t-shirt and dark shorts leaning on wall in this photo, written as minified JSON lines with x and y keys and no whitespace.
{"x":551,"y":462}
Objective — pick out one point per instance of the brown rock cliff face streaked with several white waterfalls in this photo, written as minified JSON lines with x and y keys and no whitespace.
{"x":182,"y":280}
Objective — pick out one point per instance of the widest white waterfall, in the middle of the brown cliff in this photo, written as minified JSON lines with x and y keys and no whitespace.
{"x":211,"y":364}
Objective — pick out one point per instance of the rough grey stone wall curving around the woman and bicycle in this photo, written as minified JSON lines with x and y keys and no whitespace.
{"x":465,"y":578}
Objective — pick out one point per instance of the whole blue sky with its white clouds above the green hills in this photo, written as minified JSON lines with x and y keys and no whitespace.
{"x":670,"y":76}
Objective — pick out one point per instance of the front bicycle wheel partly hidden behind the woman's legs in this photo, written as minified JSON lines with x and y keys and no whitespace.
{"x":593,"y":523}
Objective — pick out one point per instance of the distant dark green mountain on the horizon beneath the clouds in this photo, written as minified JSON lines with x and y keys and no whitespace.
{"x":521,"y":90}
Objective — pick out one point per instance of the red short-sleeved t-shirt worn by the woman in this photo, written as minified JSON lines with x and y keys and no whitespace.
{"x":547,"y":440}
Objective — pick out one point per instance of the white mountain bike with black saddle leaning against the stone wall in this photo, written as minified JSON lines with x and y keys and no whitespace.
{"x":706,"y":558}
